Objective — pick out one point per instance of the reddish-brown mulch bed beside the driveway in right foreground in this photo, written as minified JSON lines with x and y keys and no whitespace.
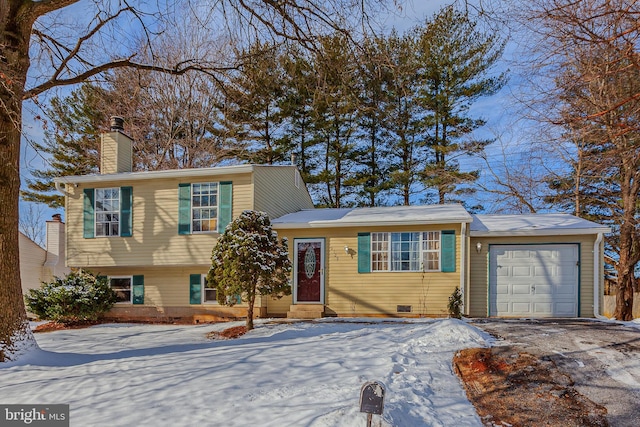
{"x":509,"y":387}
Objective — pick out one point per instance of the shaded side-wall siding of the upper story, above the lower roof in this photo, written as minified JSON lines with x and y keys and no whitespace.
{"x":278,"y":192}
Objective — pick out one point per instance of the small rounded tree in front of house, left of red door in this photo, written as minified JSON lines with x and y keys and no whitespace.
{"x":248,"y":260}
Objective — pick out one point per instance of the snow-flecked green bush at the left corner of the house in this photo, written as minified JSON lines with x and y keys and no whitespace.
{"x":78,"y":297}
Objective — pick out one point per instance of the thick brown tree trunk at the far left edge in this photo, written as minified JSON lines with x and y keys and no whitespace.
{"x":15,"y":333}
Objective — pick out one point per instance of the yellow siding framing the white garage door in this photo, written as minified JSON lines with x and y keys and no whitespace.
{"x":478,"y":289}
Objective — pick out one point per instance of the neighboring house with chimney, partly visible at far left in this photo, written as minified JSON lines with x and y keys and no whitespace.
{"x":39,"y":265}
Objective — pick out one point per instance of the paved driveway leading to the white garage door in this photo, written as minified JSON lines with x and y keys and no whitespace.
{"x":602,"y":358}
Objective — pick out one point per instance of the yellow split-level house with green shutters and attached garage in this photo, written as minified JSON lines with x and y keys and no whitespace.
{"x":151,"y":234}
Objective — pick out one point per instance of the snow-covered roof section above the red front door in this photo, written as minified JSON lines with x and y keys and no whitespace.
{"x":387,"y":215}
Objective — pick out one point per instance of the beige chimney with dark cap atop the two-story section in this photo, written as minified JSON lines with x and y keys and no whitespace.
{"x":116,"y":149}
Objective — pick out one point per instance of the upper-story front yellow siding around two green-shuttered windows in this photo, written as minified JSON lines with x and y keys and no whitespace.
{"x":155,"y":239}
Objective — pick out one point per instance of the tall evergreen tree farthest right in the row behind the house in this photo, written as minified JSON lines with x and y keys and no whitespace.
{"x":455,"y":61}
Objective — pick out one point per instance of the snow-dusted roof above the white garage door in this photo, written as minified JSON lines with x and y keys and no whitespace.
{"x":533,"y":225}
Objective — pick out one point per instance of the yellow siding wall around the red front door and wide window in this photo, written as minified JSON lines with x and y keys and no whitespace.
{"x":349,"y":293}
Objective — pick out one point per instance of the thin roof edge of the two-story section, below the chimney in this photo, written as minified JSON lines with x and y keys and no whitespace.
{"x":170,"y":173}
